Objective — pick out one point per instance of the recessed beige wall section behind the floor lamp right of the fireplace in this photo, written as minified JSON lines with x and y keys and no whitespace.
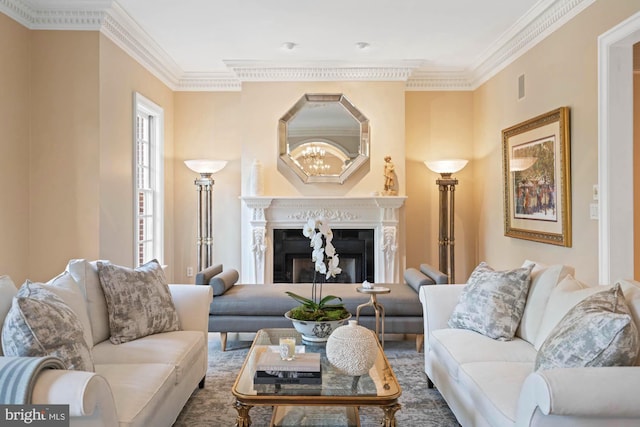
{"x":439,"y":125}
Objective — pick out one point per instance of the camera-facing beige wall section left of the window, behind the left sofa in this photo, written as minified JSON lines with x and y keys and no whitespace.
{"x":64,"y":163}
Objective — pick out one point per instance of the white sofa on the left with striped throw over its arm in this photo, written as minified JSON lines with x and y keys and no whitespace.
{"x":144,"y":382}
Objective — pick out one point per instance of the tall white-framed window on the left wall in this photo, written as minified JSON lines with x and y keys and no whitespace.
{"x":148,"y":180}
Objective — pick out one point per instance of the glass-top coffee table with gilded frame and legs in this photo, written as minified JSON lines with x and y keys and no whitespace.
{"x":332,"y":403}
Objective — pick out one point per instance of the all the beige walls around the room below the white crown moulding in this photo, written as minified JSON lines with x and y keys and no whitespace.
{"x":67,"y":122}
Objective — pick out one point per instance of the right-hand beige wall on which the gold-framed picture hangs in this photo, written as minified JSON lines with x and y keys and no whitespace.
{"x":559,"y":71}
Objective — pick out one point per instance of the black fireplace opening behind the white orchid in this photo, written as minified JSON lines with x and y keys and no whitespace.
{"x":292,"y":256}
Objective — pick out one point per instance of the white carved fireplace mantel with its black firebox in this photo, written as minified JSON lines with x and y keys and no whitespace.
{"x":265,"y":217}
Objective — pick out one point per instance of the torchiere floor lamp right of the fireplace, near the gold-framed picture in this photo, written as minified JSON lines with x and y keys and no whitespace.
{"x":447,"y":187}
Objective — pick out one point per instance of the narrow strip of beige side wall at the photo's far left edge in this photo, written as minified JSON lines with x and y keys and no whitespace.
{"x":14,"y":149}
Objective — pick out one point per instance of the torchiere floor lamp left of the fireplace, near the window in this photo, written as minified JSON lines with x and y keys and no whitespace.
{"x":204,"y":185}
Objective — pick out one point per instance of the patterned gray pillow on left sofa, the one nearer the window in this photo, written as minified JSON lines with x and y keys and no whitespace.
{"x":138,"y":301}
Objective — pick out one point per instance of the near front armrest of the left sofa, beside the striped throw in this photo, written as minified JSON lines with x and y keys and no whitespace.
{"x":87,"y":394}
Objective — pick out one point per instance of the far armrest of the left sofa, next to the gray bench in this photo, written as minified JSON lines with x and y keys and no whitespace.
{"x":192,"y":303}
